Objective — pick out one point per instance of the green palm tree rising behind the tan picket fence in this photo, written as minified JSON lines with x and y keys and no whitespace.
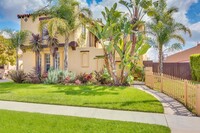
{"x":164,"y":28}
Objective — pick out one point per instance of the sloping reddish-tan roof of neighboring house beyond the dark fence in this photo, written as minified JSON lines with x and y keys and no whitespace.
{"x":183,"y":56}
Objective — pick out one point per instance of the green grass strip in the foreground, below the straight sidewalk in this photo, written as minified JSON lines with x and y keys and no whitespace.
{"x":20,"y":122}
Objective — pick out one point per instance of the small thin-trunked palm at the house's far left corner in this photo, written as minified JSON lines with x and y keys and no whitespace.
{"x":17,"y":41}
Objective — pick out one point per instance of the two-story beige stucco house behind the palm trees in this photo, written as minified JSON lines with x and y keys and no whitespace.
{"x":81,"y":60}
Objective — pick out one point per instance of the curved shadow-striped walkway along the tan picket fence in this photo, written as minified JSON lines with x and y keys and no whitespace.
{"x":171,"y":106}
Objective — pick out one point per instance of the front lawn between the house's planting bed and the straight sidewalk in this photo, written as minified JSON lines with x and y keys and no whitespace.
{"x":123,"y":98}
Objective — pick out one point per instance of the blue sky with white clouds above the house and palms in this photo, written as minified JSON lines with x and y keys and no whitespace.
{"x":10,"y":8}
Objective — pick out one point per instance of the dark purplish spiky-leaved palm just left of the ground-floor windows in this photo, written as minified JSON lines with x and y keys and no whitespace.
{"x":36,"y":46}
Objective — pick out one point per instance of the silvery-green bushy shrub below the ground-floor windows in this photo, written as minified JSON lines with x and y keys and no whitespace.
{"x":59,"y":76}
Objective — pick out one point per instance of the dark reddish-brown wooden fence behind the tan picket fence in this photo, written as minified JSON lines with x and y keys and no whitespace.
{"x":180,"y":70}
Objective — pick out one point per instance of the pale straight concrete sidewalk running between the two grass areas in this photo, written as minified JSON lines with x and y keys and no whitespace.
{"x":177,"y":124}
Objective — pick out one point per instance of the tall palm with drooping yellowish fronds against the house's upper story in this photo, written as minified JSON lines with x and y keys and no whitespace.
{"x":63,"y":16}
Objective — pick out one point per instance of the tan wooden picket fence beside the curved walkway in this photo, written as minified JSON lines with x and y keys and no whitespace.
{"x":184,"y":91}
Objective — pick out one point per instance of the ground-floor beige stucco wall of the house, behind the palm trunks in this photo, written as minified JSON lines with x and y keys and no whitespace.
{"x":81,"y":60}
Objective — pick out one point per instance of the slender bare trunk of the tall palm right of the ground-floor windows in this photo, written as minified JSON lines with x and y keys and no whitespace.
{"x":66,"y":53}
